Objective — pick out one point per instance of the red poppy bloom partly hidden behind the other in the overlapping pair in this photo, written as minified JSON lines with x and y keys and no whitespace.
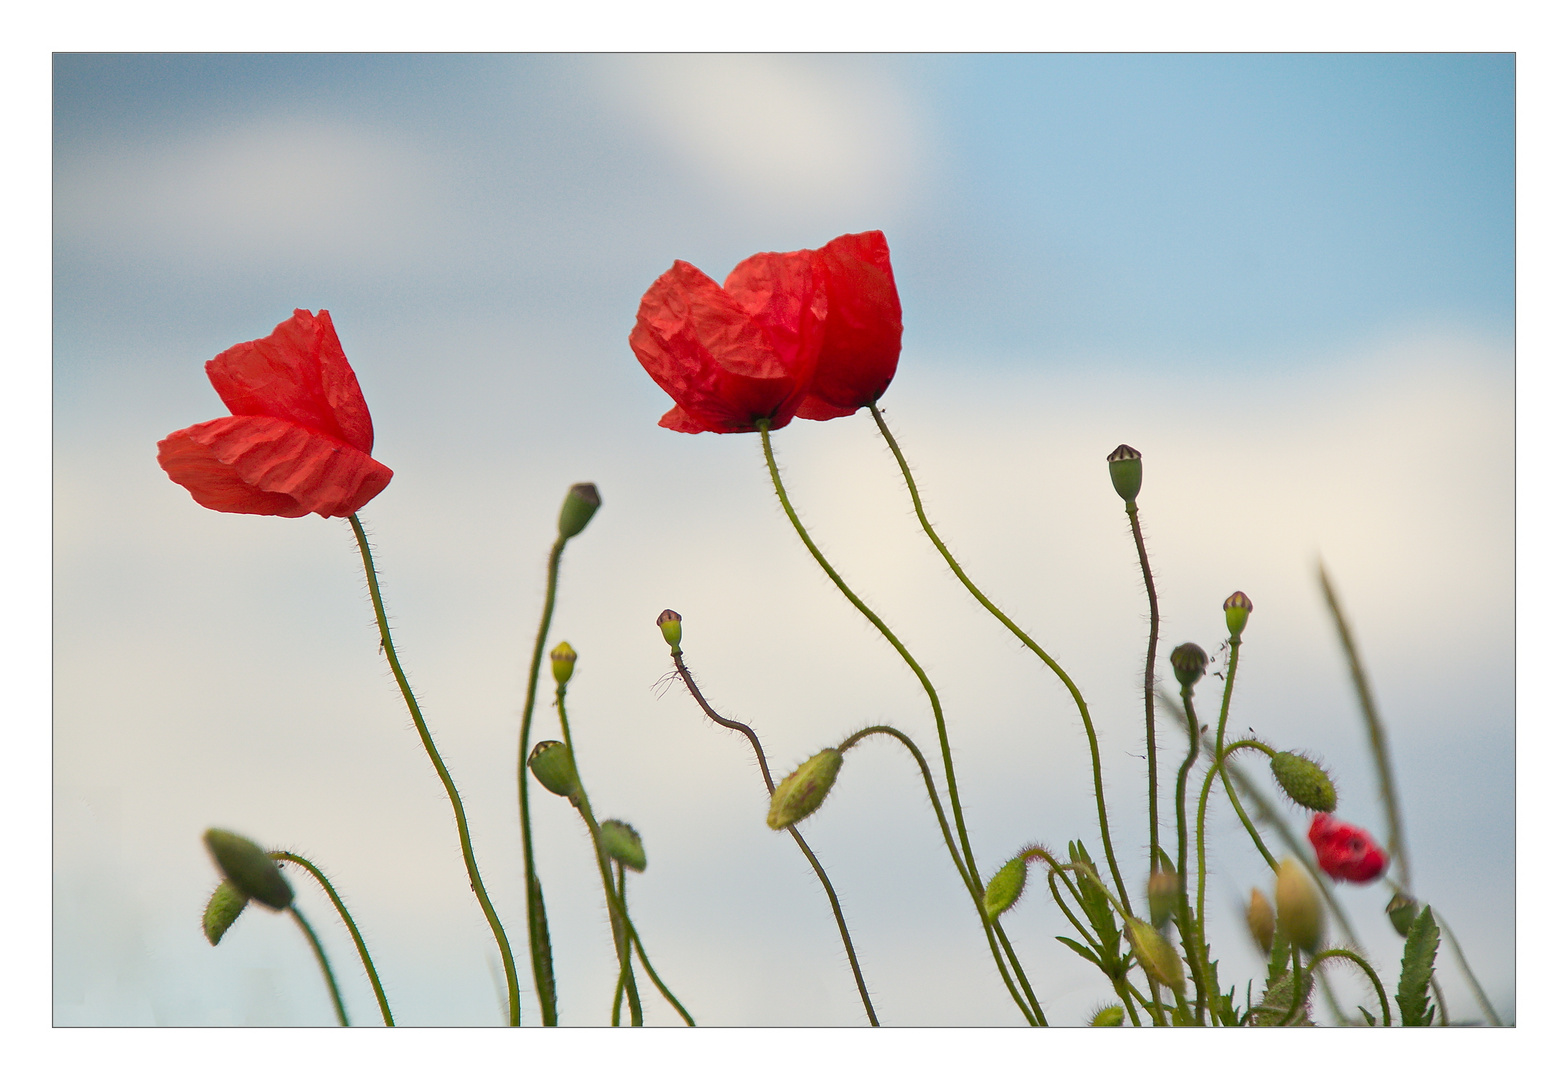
{"x":860,"y":350}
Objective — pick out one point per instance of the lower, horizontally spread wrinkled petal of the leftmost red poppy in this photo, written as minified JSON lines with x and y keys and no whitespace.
{"x":269,"y":466}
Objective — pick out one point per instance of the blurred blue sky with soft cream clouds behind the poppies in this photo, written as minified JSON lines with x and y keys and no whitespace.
{"x":1287,"y":280}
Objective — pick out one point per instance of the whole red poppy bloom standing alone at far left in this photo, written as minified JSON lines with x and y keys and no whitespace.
{"x":300,"y":437}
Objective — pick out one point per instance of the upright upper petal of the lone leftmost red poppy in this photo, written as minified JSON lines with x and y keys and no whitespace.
{"x":297,"y":374}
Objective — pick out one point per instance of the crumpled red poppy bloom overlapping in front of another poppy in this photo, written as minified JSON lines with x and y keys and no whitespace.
{"x":736,"y":355}
